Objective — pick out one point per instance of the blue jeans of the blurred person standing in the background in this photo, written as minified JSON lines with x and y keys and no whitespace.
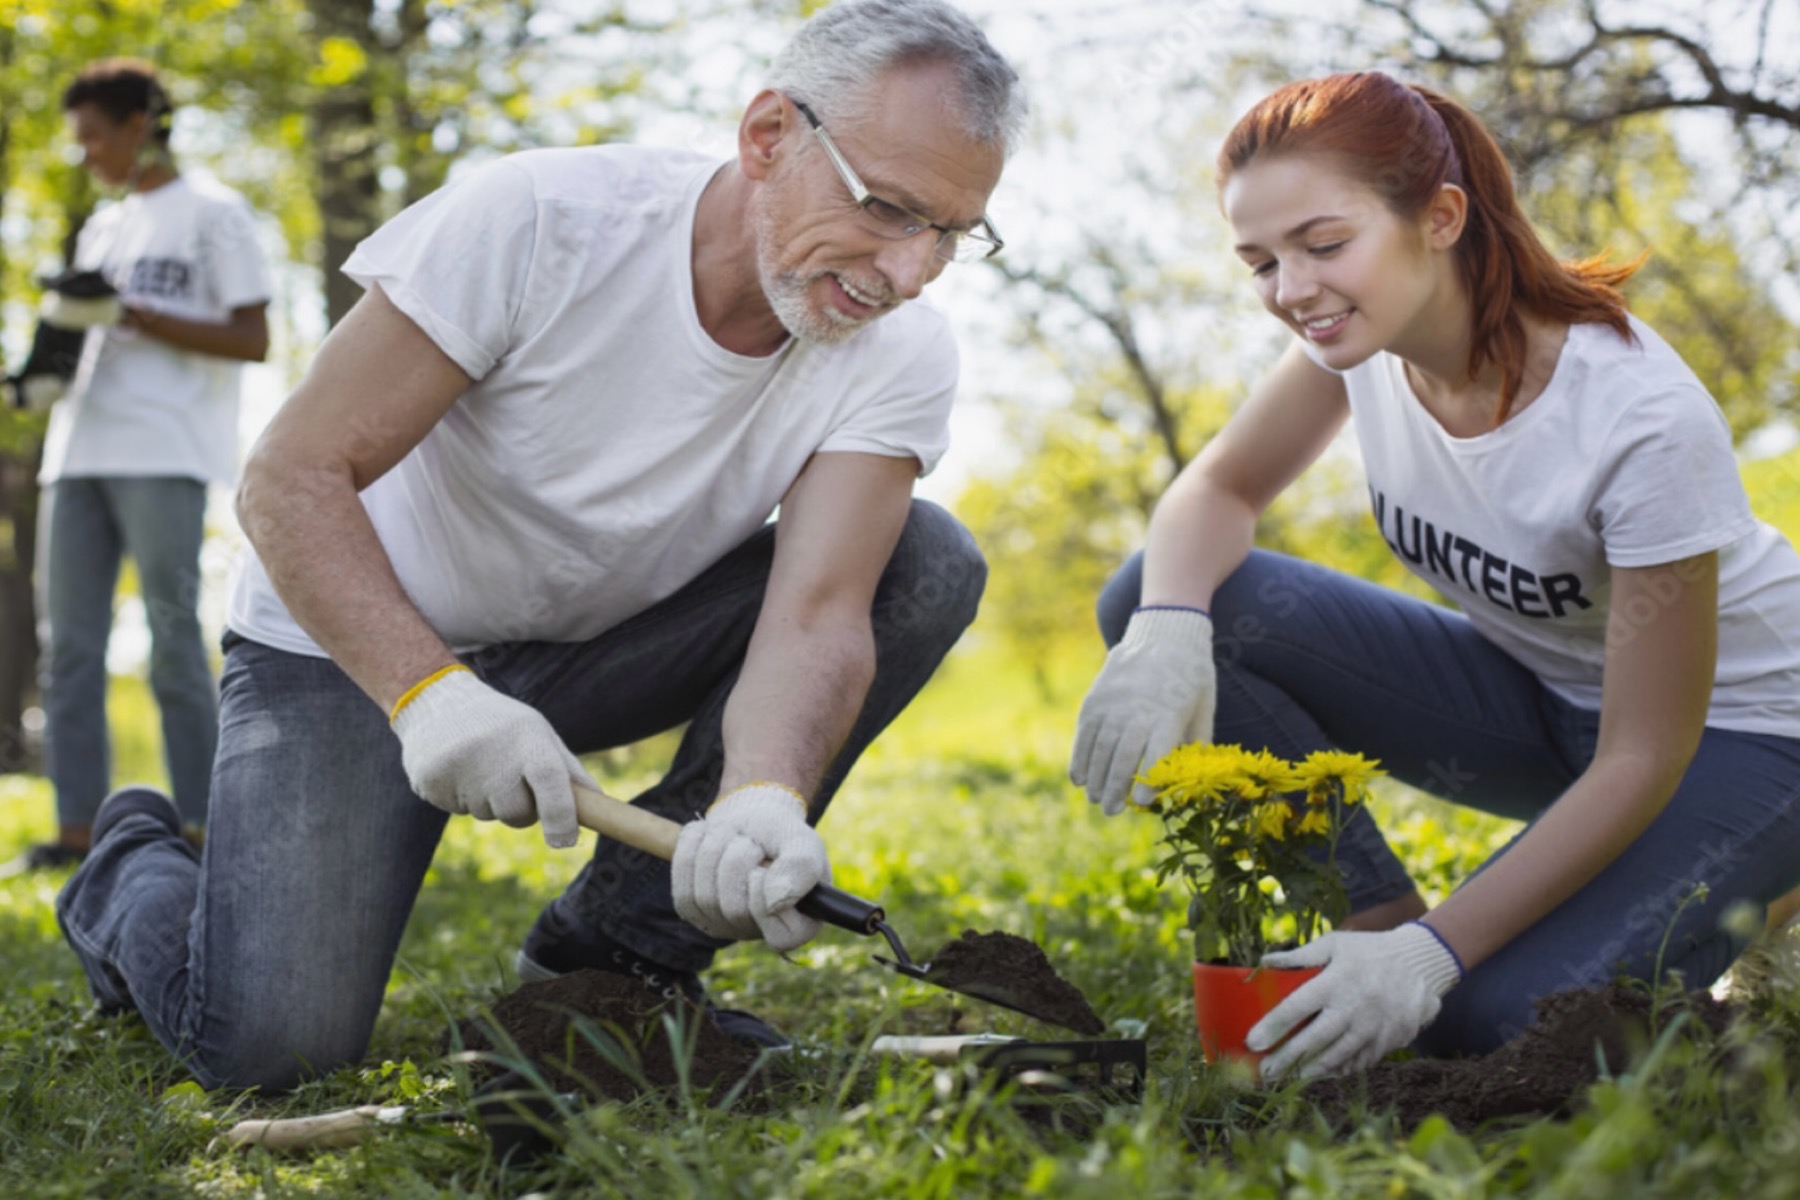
{"x":87,"y":528}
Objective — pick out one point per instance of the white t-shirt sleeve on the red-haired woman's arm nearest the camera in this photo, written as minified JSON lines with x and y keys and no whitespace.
{"x":1669,"y":487}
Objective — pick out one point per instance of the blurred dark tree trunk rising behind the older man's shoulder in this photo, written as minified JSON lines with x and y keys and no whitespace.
{"x":345,"y":152}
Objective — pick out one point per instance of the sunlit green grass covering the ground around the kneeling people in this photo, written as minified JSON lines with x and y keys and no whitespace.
{"x":960,"y":818}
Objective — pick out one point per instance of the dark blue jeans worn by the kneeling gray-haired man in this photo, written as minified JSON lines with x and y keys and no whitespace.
{"x":269,"y":962}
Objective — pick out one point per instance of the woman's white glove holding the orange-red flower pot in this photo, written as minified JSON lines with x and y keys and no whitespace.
{"x":1374,"y":996}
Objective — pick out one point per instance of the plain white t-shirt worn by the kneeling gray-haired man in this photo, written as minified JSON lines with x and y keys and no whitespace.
{"x":609,"y":451}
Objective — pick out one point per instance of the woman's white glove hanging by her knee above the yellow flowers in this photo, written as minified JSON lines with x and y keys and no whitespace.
{"x":1155,"y":694}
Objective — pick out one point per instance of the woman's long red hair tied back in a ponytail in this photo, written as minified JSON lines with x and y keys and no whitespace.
{"x":1407,"y":143}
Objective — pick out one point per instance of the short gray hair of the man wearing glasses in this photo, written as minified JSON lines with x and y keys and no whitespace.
{"x":838,"y":55}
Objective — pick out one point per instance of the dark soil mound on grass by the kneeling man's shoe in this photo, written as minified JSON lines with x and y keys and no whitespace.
{"x":557,"y":1023}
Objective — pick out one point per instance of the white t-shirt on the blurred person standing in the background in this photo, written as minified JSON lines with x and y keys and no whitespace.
{"x":139,"y":406}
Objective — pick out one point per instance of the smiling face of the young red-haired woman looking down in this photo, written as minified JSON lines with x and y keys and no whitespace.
{"x":1333,"y":262}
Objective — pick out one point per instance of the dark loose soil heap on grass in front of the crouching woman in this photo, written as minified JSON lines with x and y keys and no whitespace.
{"x":1538,"y":1075}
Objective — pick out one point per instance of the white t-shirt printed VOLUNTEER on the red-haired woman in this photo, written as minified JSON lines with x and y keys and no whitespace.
{"x":1623,"y":461}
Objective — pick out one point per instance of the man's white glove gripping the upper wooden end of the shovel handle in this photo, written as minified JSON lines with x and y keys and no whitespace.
{"x":469,"y":749}
